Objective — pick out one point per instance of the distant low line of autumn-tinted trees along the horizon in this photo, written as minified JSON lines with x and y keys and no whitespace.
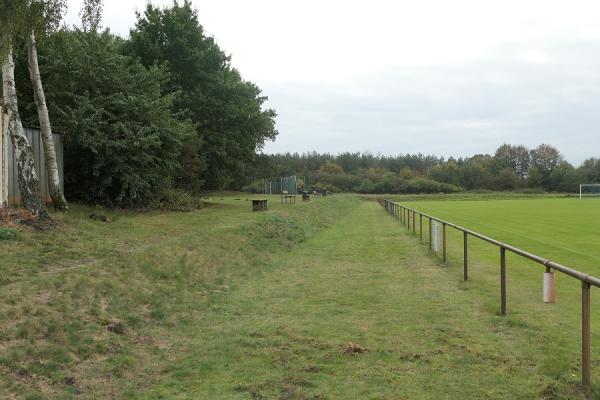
{"x":511,"y":167}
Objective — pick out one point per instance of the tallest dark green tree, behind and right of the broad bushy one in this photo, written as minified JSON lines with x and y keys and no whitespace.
{"x":226,"y":109}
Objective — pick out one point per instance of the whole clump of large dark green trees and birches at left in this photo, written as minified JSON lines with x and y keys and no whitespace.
{"x":145,"y":119}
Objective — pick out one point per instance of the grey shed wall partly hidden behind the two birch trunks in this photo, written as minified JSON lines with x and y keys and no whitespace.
{"x":9,"y":185}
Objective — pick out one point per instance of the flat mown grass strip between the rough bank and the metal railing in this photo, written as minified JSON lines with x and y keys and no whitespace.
{"x":365,"y":281}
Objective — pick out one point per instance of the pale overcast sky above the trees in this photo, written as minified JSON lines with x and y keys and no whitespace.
{"x":451,"y":78}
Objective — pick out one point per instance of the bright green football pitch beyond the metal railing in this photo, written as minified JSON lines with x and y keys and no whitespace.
{"x":565,"y":230}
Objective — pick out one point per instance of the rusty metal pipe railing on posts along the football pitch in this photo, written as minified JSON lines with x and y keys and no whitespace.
{"x":405,"y":215}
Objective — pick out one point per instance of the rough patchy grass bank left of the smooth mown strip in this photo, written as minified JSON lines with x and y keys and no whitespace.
{"x":104,"y":310}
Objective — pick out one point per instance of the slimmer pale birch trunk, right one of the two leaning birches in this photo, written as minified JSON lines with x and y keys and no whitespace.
{"x":56,"y":193}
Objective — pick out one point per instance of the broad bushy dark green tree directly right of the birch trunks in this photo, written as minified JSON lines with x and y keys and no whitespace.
{"x":123,"y":144}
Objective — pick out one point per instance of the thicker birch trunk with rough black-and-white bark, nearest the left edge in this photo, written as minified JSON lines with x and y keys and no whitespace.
{"x":29,"y":183}
